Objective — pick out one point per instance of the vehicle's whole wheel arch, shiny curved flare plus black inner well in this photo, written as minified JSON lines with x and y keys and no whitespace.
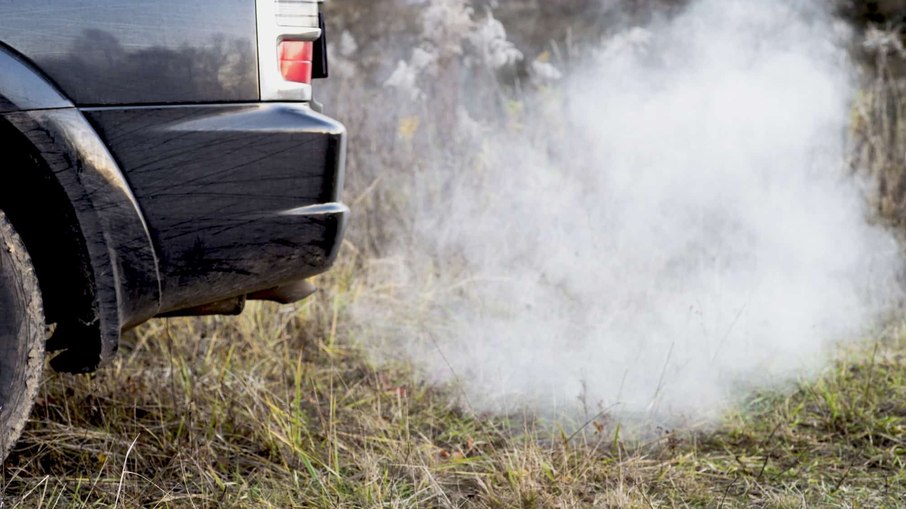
{"x":66,"y":194}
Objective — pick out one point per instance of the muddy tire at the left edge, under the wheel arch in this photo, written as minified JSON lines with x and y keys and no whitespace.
{"x":22,"y":332}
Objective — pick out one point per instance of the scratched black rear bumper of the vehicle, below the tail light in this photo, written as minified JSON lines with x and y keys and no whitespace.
{"x":238,"y":198}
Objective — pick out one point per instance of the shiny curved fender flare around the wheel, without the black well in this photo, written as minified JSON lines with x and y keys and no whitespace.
{"x":121,"y":254}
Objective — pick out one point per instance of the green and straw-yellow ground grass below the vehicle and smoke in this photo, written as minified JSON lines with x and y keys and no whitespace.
{"x":278,"y":408}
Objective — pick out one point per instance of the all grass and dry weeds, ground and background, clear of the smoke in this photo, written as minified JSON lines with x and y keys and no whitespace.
{"x":281,"y":408}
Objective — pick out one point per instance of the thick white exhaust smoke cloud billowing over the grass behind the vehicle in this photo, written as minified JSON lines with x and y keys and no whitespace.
{"x":667,"y":225}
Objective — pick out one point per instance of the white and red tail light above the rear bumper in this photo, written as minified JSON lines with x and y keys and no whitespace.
{"x":290,"y":48}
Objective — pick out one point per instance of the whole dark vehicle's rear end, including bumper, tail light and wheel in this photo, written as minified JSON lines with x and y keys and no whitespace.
{"x":158,"y":158}
